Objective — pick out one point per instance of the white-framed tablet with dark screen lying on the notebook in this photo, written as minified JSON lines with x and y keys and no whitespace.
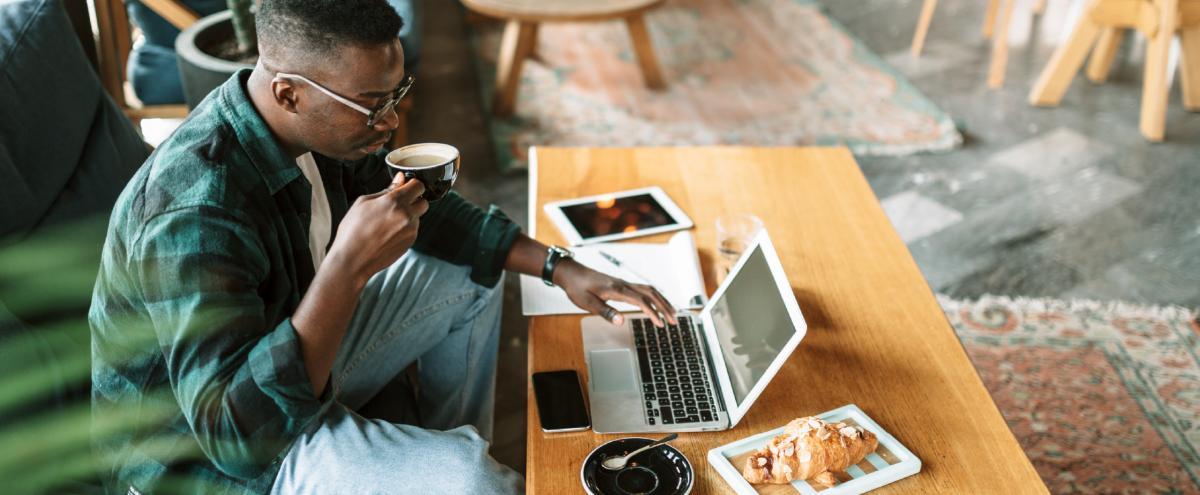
{"x":617,"y":216}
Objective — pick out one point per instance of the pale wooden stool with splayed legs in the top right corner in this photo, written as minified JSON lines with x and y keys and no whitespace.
{"x":1103,"y":26}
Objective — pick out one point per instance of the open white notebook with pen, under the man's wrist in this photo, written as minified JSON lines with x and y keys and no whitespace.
{"x":674,"y":269}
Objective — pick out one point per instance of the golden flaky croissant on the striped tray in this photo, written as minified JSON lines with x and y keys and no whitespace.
{"x":809,"y":449}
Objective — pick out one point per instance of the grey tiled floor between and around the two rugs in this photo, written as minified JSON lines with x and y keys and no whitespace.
{"x":1064,"y":202}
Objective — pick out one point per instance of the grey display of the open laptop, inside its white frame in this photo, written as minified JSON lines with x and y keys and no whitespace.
{"x":752,"y":324}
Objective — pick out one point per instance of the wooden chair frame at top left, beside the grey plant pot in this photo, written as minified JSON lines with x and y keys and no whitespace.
{"x":116,"y":41}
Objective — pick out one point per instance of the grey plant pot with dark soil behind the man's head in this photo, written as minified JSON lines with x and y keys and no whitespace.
{"x":214,"y":49}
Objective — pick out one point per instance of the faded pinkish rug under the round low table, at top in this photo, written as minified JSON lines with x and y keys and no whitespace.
{"x":758,"y":73}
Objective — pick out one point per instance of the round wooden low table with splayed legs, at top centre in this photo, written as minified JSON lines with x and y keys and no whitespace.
{"x":521,"y":37}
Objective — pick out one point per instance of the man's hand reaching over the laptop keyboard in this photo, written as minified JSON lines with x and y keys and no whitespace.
{"x":591,"y":290}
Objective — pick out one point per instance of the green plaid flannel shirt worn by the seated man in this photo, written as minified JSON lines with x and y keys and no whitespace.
{"x":199,"y":384}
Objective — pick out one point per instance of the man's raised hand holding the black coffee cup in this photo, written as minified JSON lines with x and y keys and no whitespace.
{"x":380,"y":229}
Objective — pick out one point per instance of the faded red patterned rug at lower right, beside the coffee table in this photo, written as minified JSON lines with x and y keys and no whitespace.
{"x":1105,"y":398}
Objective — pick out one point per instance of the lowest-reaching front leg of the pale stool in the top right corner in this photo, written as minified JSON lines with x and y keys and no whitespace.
{"x":1155,"y":90}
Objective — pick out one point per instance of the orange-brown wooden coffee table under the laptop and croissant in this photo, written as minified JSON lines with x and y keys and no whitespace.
{"x":877,"y":336}
